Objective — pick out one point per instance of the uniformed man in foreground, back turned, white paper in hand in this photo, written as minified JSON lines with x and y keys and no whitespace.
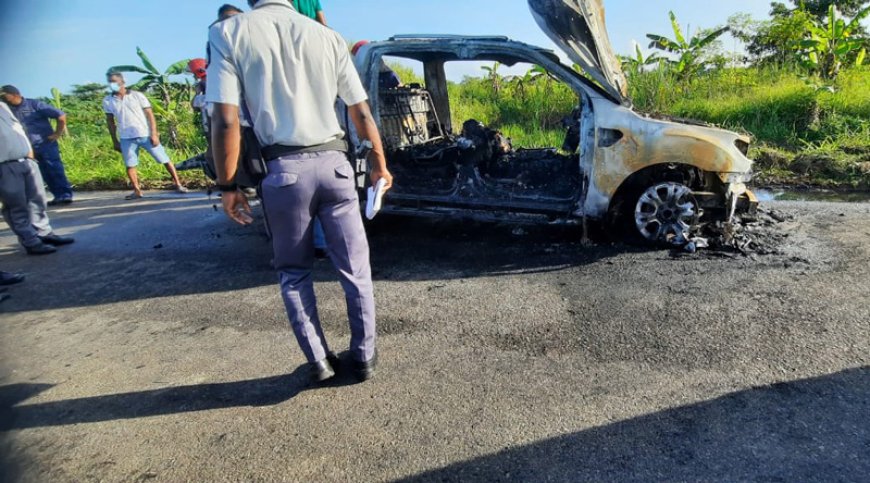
{"x":291,"y":71}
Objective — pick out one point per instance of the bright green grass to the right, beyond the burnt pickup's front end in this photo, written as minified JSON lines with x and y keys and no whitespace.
{"x":803,"y":134}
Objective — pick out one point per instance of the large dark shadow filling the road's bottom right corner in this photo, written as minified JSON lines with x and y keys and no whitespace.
{"x":809,"y":430}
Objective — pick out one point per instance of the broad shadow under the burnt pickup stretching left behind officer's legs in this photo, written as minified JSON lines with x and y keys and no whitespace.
{"x":184,"y":246}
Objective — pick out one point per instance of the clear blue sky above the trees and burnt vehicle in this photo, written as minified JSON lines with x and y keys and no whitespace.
{"x":58,"y":43}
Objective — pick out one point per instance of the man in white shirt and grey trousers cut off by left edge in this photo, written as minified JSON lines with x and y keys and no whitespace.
{"x":22,"y":191}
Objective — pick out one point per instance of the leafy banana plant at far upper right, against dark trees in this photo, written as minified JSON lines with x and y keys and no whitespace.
{"x":830,"y":42}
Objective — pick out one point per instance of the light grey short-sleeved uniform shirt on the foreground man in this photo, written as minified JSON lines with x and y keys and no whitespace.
{"x":291,"y":69}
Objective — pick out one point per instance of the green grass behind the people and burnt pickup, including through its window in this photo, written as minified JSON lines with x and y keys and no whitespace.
{"x":803,"y":135}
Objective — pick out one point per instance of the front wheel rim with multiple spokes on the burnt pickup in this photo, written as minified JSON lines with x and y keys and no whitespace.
{"x":665,"y":213}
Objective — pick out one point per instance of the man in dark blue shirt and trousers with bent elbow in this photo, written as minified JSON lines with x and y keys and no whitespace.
{"x":35,"y":116}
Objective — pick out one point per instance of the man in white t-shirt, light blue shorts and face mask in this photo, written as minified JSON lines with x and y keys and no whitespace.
{"x":132,"y":126}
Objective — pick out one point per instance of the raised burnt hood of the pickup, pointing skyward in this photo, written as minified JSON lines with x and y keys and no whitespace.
{"x":577,"y":26}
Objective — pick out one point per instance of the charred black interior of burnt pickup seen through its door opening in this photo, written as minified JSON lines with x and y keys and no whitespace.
{"x":476,"y":168}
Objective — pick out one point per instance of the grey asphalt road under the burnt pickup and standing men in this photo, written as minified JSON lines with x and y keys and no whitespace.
{"x":156,"y":349}
